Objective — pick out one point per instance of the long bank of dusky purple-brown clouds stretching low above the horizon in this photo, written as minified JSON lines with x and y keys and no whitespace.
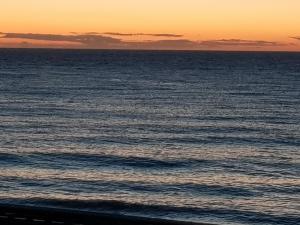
{"x":95,"y":40}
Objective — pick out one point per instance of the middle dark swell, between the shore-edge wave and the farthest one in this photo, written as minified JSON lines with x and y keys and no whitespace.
{"x":141,"y":187}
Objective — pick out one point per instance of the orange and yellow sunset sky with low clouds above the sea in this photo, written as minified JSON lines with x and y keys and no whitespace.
{"x":250,"y":25}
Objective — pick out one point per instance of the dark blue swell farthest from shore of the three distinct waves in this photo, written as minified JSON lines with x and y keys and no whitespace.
{"x":67,"y":160}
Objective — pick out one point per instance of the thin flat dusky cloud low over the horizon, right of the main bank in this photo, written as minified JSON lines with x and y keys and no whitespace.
{"x":239,"y":43}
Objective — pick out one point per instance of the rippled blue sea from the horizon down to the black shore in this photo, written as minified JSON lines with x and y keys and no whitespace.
{"x":194,"y":136}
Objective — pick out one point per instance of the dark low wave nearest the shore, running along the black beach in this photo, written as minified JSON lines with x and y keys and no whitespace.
{"x":163,"y":211}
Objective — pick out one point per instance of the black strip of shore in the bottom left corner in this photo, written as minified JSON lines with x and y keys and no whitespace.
{"x":30,"y":215}
